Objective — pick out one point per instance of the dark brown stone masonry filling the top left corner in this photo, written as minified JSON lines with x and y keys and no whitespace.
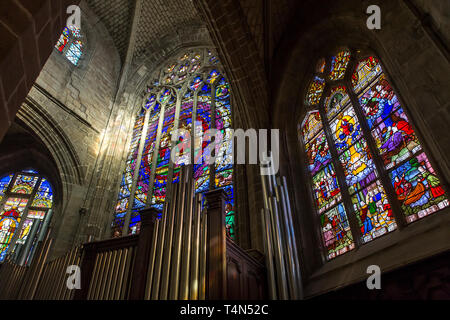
{"x":27,"y":29}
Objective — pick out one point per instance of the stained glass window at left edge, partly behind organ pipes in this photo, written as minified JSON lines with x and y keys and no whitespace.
{"x":25,"y":200}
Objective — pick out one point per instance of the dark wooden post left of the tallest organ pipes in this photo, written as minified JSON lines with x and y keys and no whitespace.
{"x":140,"y":270}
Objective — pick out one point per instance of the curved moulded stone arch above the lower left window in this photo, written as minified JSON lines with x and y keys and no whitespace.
{"x":54,"y":155}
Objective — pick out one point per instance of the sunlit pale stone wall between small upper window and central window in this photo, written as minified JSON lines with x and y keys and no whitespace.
{"x":78,"y":100}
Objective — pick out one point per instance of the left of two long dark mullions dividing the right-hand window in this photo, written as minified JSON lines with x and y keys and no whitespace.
{"x":355,"y":230}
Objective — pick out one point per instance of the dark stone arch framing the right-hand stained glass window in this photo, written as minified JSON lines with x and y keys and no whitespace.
{"x":312,"y":38}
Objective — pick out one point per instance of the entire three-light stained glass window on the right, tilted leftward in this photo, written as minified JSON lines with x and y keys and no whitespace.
{"x":368,"y":168}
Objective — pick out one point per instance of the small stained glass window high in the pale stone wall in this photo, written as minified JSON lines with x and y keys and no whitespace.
{"x":71,"y":44}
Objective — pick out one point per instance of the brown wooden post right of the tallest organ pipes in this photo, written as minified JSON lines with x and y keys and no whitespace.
{"x":216,"y":277}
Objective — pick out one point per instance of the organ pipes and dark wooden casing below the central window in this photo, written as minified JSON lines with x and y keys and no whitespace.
{"x":185,"y":255}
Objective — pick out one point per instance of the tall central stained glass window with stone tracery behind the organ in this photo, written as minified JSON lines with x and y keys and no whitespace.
{"x":191,"y":88}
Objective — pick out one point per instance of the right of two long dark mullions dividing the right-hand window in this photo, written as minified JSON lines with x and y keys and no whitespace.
{"x":382,"y":175}
